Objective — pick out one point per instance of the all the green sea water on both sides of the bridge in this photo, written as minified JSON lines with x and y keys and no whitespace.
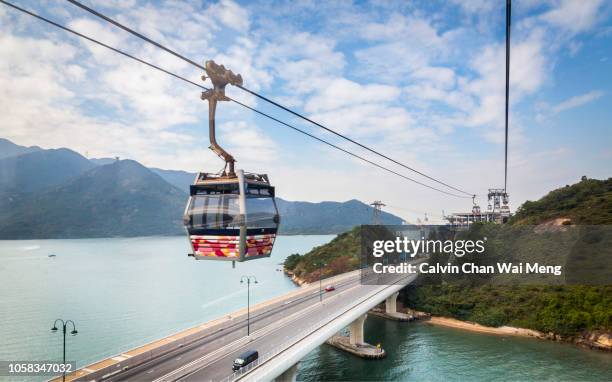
{"x":126,"y":292}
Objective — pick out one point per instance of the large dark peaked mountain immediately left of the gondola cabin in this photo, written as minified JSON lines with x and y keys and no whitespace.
{"x":119,"y":199}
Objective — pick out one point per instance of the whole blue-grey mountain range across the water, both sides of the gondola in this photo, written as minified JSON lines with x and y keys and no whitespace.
{"x":58,"y":193}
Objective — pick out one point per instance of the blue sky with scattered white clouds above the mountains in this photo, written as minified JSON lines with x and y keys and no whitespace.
{"x":421,"y":81}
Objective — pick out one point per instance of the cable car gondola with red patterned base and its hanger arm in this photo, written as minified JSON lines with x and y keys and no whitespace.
{"x":231,"y":215}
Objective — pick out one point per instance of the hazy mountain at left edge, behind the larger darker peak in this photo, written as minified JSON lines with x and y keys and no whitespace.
{"x":40,"y":170}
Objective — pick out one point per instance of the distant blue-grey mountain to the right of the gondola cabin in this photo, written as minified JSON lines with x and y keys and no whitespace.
{"x":327,"y":217}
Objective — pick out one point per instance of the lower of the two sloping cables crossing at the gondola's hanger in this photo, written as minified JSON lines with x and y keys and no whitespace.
{"x":233,"y":100}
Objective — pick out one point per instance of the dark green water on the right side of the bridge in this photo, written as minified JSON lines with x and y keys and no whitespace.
{"x":422,"y":352}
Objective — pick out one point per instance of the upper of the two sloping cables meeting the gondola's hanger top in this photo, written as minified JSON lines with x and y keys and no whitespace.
{"x":264,"y":98}
